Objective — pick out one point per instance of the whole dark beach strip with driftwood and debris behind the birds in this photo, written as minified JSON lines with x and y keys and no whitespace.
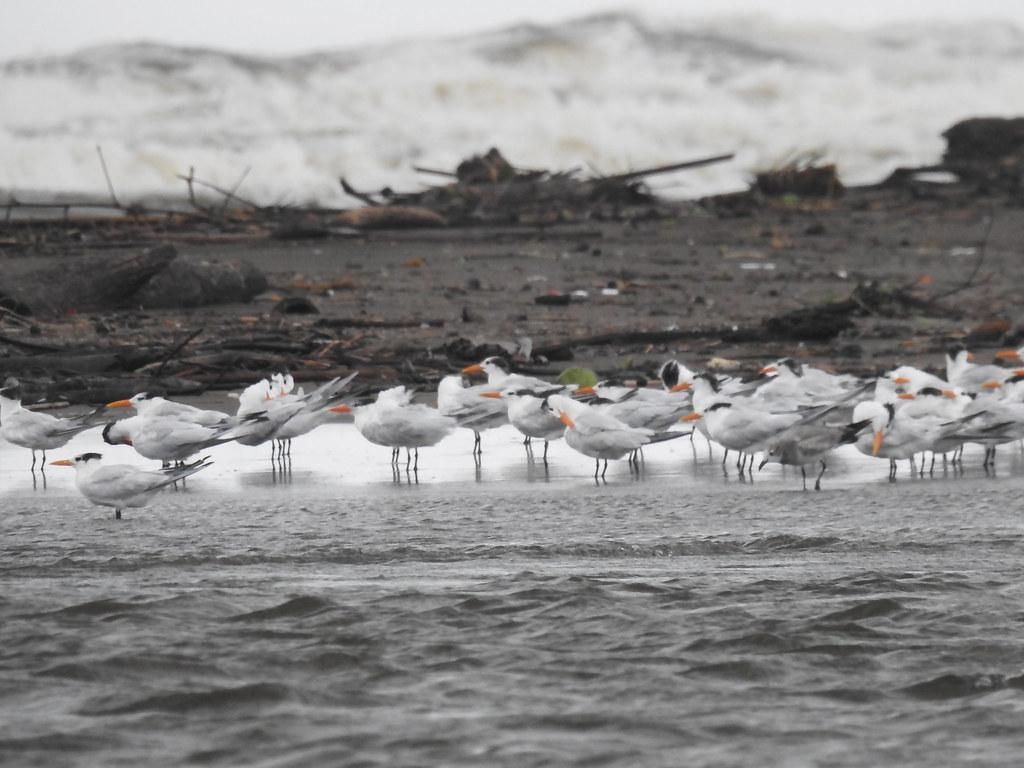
{"x":103,"y":301}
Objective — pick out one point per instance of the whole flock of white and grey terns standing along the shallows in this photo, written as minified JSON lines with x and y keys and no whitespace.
{"x":791,"y":414}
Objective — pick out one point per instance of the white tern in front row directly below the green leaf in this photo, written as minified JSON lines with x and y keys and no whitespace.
{"x":600,"y":436}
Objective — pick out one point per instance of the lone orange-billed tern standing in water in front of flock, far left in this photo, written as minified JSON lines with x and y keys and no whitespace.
{"x":120,"y":486}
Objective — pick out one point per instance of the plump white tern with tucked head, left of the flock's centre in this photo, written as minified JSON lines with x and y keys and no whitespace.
{"x":394,"y":420}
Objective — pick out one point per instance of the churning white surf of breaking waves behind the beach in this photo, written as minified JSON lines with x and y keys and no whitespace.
{"x":605,"y":95}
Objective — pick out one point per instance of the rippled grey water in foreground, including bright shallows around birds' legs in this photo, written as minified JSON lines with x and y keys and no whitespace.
{"x":506,"y":616}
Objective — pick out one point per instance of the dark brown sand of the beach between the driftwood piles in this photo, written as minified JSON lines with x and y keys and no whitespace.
{"x":698,"y":284}
